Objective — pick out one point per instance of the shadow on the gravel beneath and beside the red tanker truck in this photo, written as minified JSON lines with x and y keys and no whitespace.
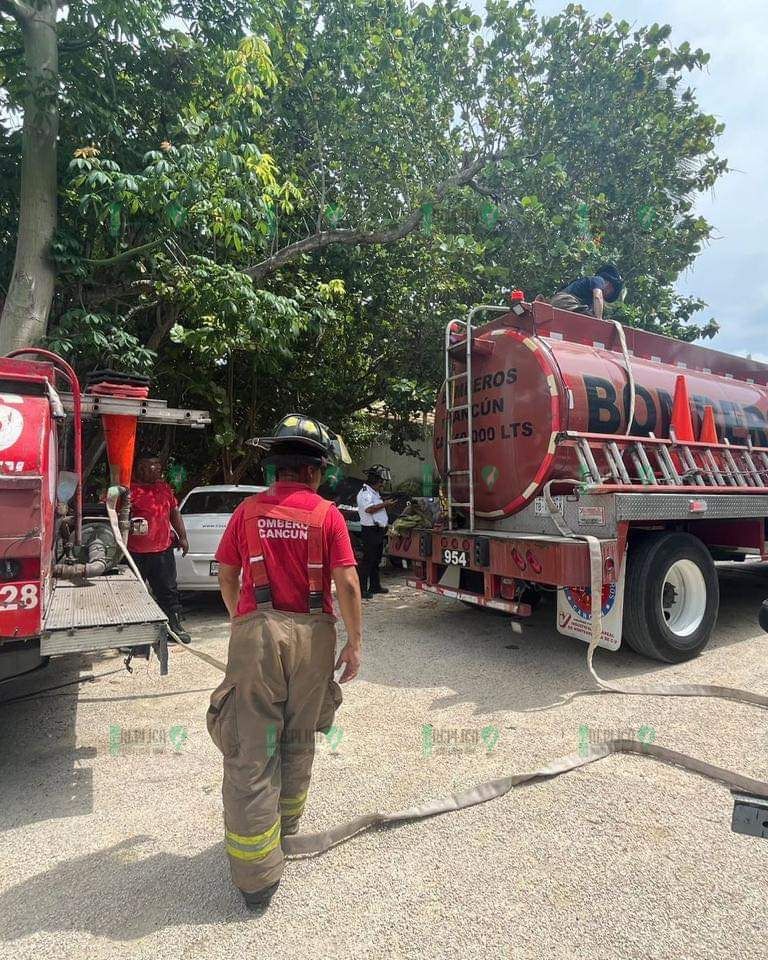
{"x":539,"y":668}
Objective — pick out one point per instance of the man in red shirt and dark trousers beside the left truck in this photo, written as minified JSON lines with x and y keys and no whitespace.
{"x":154,"y":500}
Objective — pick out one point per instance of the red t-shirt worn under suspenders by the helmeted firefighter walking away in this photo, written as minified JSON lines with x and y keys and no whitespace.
{"x":285,"y":553}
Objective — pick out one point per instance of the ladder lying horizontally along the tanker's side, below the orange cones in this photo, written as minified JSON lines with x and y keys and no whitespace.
{"x":668,"y":464}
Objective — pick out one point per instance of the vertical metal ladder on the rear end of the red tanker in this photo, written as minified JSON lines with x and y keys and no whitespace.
{"x":458,"y":350}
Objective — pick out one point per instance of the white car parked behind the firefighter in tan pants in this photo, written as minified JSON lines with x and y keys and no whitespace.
{"x":206,"y":512}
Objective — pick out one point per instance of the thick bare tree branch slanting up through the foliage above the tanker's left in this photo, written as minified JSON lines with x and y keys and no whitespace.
{"x":360,"y":237}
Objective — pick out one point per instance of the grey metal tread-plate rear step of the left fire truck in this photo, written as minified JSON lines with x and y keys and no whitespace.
{"x":99,"y":614}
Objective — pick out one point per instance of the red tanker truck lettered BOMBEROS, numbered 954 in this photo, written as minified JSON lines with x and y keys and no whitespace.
{"x":556,"y":441}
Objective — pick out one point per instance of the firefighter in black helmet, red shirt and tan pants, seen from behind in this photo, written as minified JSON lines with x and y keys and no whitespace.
{"x":277,"y":558}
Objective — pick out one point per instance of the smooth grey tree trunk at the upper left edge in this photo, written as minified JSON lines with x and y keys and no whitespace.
{"x":25,"y":314}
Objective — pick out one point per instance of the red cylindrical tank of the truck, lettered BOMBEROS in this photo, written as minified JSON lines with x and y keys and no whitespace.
{"x":548,"y":371}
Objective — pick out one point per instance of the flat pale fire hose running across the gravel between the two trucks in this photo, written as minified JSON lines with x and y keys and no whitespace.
{"x":314,"y":844}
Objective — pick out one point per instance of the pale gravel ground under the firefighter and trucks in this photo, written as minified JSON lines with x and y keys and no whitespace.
{"x":117,"y":850}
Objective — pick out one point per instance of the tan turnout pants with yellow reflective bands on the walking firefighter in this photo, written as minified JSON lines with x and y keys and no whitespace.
{"x":277,"y":693}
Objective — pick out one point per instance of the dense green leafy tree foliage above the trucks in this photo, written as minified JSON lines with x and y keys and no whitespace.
{"x":280,"y":205}
